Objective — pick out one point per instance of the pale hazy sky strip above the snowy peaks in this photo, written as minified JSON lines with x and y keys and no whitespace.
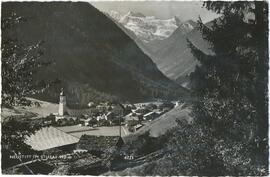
{"x":162,"y":9}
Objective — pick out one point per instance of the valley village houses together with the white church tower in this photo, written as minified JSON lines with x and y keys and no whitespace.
{"x":134,"y":116}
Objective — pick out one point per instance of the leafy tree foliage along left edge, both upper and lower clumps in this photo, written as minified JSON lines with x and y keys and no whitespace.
{"x":19,"y":64}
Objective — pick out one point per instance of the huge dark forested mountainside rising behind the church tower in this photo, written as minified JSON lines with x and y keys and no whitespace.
{"x":90,"y":55}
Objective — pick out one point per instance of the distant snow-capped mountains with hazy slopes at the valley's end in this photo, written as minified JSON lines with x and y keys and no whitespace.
{"x":171,"y":53}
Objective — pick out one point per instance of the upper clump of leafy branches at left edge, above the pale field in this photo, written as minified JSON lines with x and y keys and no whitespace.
{"x":20,"y":62}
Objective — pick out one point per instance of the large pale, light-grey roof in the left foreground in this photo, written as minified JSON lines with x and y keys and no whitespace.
{"x":50,"y":137}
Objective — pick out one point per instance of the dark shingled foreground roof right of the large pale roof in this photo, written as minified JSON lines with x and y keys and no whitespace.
{"x":99,"y":143}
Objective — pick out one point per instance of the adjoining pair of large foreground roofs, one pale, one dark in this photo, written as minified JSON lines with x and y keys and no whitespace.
{"x":51,"y":140}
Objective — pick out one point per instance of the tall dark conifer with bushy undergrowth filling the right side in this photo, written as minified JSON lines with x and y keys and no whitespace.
{"x":229,"y":133}
